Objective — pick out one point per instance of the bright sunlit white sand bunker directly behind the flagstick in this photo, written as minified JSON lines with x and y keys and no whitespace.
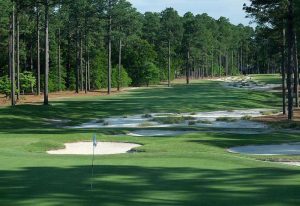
{"x":103,"y":148}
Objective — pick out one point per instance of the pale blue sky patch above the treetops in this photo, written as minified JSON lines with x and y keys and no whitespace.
{"x":232,"y":9}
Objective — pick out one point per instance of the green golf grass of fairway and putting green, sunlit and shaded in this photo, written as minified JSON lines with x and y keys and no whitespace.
{"x":192,"y":169}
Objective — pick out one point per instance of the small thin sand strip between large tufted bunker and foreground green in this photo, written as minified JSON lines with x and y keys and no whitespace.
{"x":157,"y":133}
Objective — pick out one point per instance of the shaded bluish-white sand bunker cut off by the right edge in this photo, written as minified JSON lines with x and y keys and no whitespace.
{"x":281,"y":149}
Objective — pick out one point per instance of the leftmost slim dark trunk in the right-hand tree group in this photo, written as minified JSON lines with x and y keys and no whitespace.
{"x":283,"y":72}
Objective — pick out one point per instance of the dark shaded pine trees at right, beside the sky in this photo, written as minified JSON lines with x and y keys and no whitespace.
{"x":276,"y":40}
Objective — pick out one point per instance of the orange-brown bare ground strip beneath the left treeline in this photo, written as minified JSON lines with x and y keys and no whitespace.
{"x":34,"y":99}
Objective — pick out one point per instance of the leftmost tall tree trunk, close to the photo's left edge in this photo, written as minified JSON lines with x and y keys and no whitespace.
{"x":12,"y":56}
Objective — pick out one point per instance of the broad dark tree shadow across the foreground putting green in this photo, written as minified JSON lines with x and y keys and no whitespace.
{"x":135,"y":185}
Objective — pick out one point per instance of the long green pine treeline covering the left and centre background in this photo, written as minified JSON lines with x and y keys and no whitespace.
{"x":83,"y":45}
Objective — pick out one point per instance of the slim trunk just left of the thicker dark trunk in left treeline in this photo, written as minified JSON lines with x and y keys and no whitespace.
{"x":38,"y":78}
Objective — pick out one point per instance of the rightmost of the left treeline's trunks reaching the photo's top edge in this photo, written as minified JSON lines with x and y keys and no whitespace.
{"x":109,"y":50}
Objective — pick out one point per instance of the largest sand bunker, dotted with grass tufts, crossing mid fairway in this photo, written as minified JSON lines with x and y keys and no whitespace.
{"x":200,"y":119}
